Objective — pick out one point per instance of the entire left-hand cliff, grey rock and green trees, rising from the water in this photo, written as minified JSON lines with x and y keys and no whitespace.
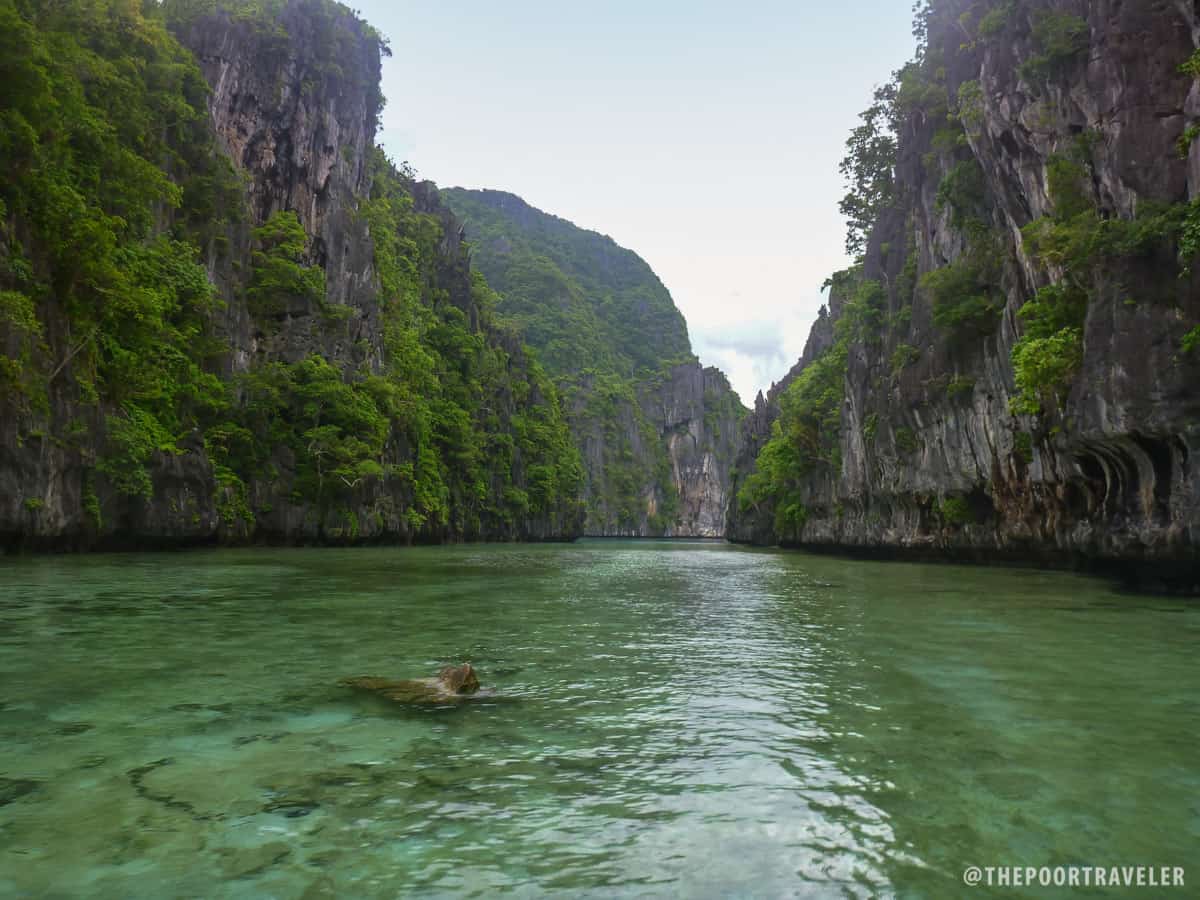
{"x":383,"y":405}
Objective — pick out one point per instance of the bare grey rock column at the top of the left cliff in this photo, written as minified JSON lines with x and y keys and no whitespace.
{"x":303,"y":139}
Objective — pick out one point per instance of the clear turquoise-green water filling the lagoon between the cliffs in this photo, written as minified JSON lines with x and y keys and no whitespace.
{"x":669,"y":719}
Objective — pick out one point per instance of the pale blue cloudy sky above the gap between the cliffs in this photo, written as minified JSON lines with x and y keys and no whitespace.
{"x":704,"y":136}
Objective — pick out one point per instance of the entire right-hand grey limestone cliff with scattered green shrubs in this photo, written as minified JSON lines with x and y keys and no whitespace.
{"x":1072,"y":116}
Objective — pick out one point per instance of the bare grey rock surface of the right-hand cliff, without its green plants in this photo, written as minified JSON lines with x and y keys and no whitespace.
{"x":1113,"y":477}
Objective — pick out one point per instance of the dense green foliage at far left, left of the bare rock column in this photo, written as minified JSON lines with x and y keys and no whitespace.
{"x":109,"y":183}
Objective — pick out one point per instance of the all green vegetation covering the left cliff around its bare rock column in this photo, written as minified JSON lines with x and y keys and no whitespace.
{"x":115,"y":196}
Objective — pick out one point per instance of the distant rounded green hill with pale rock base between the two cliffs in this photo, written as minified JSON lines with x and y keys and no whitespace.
{"x":658,"y":435}
